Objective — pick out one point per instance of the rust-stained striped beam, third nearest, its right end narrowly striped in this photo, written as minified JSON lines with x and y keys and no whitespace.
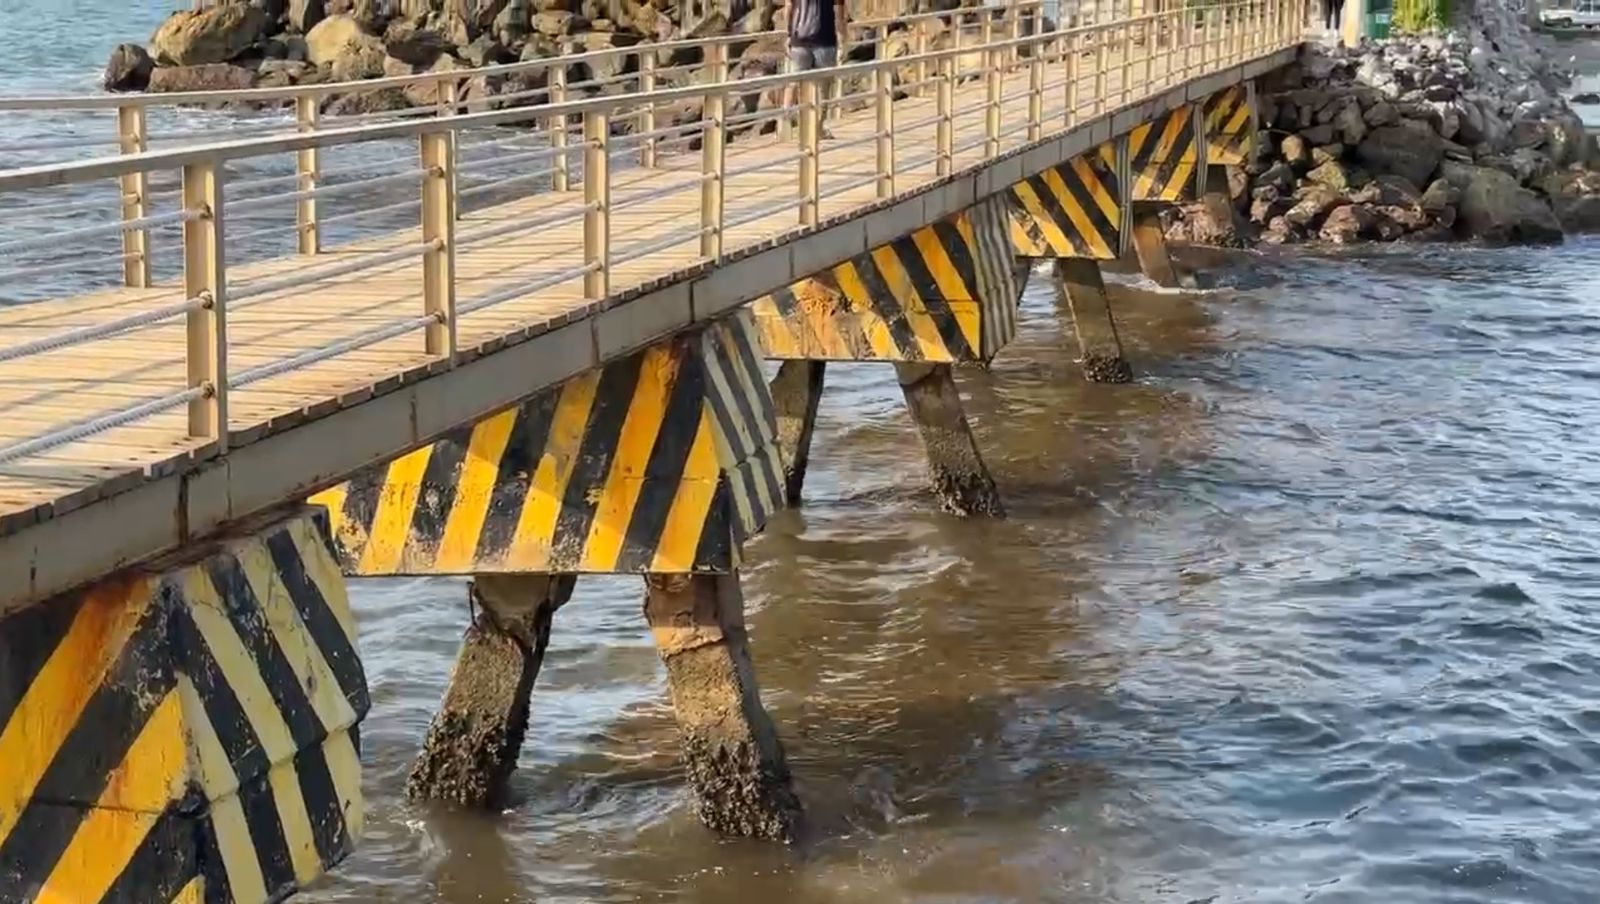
{"x":946,"y":294}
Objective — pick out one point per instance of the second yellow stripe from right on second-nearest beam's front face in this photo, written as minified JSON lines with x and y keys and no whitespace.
{"x":647,"y":410}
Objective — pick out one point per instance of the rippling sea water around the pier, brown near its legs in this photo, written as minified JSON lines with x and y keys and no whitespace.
{"x":1308,"y":614}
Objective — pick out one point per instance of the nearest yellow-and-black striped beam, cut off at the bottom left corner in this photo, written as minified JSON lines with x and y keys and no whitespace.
{"x":186,"y":732}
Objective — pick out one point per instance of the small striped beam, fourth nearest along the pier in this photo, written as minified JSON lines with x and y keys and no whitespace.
{"x":1073,"y":210}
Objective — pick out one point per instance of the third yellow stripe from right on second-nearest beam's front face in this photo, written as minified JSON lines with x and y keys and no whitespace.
{"x":530,"y":548}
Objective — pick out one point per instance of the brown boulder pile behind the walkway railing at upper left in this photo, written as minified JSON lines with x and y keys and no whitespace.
{"x":268,"y":44}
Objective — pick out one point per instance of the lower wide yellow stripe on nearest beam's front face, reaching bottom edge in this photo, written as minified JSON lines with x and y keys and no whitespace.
{"x":137,"y":793}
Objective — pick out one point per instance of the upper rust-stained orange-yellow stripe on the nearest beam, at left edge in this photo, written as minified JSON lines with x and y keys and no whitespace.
{"x":63,"y":687}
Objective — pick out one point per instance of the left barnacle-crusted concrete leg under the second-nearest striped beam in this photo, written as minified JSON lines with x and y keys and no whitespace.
{"x":473,"y":745}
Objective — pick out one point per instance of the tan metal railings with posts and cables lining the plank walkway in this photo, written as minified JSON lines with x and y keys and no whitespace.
{"x":580,"y":148}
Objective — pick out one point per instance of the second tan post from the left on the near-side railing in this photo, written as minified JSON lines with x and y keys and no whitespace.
{"x":439,"y":233}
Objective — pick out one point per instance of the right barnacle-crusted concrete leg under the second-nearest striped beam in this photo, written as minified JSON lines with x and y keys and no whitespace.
{"x":730,"y":748}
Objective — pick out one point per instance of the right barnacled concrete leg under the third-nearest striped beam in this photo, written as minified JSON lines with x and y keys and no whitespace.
{"x":961,"y":479}
